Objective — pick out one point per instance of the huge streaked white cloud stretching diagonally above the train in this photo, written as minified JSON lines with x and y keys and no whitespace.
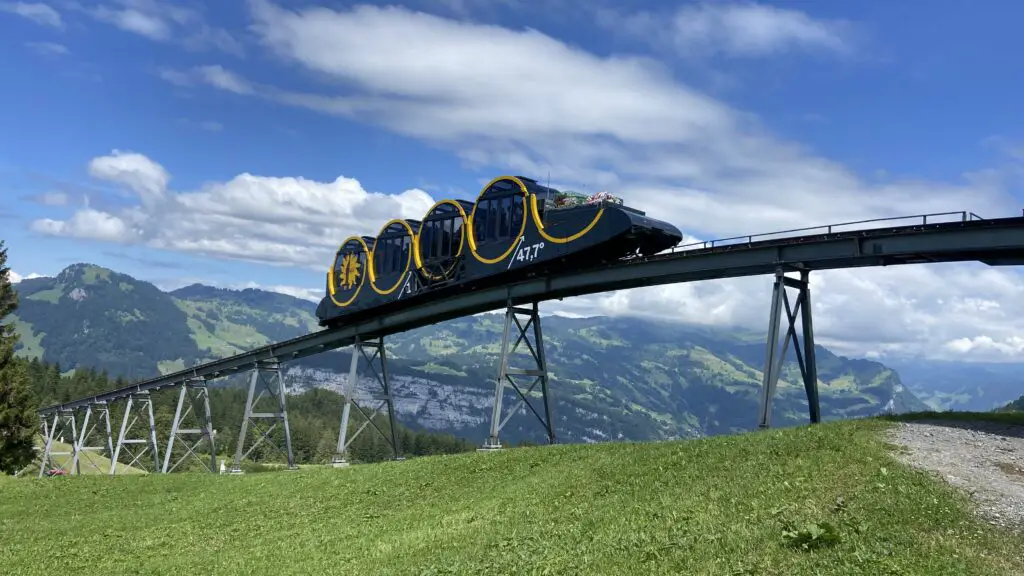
{"x":620,"y":122}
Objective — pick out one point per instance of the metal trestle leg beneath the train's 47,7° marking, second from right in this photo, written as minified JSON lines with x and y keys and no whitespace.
{"x":506,"y":375}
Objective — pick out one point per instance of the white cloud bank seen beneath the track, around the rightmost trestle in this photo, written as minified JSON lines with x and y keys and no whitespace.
{"x":968,"y":312}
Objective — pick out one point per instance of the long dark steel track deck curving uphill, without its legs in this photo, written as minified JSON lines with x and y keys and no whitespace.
{"x":998,"y":242}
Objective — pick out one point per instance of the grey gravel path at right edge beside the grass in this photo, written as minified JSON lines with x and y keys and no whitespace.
{"x":985,"y":459}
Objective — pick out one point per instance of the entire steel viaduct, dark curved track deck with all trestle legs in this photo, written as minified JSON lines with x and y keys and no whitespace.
{"x":931,"y":238}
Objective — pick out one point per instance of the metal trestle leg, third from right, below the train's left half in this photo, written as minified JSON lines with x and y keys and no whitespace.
{"x":386,"y":398}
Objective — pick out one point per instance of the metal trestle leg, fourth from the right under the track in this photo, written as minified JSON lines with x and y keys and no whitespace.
{"x":269,"y":375}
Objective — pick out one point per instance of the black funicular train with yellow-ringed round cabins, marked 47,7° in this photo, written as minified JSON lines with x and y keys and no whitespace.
{"x":517,"y":230}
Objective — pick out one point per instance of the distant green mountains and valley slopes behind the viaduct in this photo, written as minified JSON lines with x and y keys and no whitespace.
{"x":613,"y":379}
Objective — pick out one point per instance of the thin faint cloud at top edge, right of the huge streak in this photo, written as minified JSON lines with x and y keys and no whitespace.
{"x":739,"y":30}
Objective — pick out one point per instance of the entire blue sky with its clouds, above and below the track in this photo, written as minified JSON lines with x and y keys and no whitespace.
{"x":181,"y":143}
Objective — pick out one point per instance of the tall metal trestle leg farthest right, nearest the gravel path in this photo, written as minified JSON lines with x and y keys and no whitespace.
{"x":776,"y":357}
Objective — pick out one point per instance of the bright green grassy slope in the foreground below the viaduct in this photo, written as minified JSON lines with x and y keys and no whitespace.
{"x":719,"y":506}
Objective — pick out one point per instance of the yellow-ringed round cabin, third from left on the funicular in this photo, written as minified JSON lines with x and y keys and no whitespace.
{"x":442,"y":240}
